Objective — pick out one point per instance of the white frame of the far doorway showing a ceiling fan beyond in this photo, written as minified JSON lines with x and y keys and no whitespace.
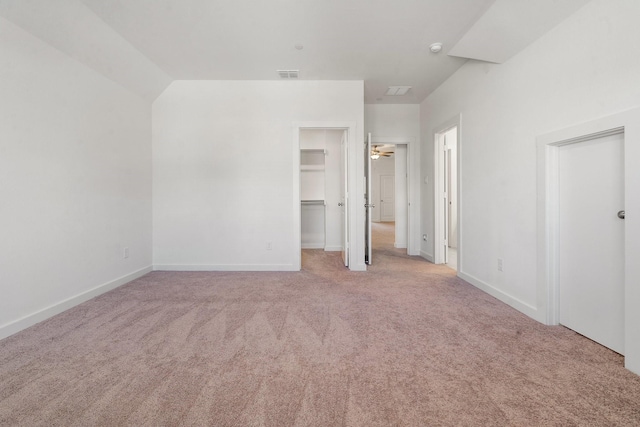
{"x":413,"y":187}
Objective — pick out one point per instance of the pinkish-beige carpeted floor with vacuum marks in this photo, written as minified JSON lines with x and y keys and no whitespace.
{"x":406,"y":343}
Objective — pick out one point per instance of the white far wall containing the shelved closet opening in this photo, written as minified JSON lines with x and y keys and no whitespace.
{"x":223,"y":168}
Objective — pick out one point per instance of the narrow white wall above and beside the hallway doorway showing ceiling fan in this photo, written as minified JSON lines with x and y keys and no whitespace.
{"x":400,"y":124}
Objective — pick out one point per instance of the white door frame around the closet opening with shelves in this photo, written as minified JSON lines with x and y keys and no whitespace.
{"x":351,"y":203}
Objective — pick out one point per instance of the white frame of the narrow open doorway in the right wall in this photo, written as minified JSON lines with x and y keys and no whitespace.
{"x":439,"y":227}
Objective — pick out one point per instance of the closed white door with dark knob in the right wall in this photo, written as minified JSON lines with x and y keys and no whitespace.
{"x":591,"y":239}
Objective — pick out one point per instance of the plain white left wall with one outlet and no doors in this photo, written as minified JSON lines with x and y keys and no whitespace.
{"x":75,"y":181}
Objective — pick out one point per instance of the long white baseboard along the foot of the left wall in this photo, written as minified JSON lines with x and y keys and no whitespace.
{"x":37,"y":317}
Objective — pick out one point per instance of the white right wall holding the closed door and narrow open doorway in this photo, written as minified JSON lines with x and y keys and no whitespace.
{"x":585,"y":68}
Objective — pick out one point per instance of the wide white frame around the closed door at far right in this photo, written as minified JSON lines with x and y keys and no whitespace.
{"x":547,"y":221}
